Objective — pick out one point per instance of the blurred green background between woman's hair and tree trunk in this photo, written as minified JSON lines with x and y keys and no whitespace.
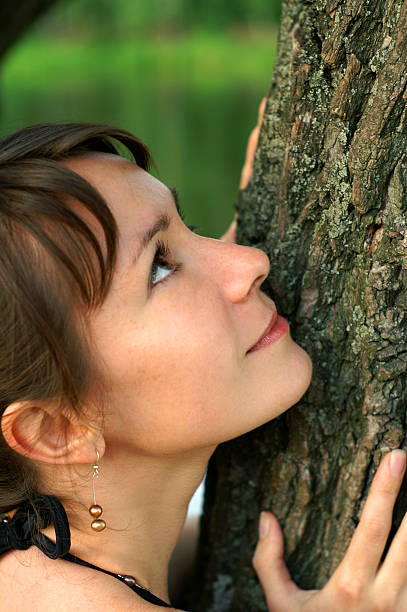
{"x":186,"y":76}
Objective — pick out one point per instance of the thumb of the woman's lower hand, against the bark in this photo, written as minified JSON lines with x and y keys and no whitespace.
{"x":281,"y":592}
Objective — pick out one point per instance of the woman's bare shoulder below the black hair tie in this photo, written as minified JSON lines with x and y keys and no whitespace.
{"x":61,"y":586}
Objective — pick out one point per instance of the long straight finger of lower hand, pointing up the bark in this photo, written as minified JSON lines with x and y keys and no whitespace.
{"x":367,"y":545}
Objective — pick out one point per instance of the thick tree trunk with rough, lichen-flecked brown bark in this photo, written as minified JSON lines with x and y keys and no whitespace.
{"x":328,"y":203}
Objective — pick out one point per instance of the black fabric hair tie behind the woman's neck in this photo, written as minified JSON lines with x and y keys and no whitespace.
{"x":23,"y":530}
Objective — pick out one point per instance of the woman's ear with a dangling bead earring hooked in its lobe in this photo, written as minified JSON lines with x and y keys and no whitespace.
{"x":45,"y":431}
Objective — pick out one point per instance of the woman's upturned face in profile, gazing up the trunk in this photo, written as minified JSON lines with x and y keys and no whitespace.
{"x":175,"y":329}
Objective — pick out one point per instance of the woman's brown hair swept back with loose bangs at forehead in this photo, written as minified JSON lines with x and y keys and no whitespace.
{"x":50,"y":263}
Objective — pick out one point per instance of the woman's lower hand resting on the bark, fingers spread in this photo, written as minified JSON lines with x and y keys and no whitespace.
{"x":358,"y":584}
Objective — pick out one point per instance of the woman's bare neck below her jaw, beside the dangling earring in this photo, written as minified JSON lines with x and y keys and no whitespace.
{"x":145,"y":501}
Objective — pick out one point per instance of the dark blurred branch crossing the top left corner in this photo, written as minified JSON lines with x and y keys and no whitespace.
{"x":15,"y":17}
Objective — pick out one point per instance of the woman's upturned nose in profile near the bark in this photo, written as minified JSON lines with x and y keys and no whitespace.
{"x":240,"y":269}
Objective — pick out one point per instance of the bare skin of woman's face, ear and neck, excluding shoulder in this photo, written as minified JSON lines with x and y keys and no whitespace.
{"x":174,"y":392}
